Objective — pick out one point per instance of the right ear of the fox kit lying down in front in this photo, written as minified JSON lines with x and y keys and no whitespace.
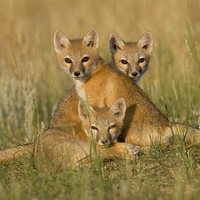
{"x":119,"y":108}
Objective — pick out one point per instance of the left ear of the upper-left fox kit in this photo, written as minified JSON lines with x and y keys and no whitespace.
{"x":60,"y":41}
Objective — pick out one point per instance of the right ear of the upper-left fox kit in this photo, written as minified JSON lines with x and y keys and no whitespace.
{"x":91,"y":39}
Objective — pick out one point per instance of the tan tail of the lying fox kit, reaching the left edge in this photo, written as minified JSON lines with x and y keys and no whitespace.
{"x":16,"y":152}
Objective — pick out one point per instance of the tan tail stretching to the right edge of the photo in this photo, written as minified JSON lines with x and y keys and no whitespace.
{"x":190,"y":134}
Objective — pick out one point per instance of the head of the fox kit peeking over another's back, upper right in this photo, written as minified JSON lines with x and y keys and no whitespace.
{"x":132,"y":58}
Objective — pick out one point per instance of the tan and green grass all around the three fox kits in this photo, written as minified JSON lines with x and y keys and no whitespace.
{"x":32,"y":83}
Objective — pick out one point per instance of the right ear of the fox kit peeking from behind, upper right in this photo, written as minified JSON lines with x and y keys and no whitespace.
{"x":146,"y":42}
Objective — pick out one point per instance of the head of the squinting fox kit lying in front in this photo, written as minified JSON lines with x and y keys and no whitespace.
{"x":102,"y":124}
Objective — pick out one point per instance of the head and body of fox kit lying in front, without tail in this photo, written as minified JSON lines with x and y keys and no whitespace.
{"x":102,"y":125}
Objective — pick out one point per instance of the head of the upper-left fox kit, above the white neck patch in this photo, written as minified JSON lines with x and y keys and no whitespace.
{"x":78,"y":57}
